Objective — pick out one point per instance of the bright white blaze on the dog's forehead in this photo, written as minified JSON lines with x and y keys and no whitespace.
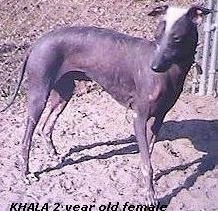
{"x":172,"y":15}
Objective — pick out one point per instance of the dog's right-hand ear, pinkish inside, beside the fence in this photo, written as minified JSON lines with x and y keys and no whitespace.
{"x":196,"y":13}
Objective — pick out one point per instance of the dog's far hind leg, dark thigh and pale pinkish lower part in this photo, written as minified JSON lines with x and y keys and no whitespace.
{"x":60,"y":96}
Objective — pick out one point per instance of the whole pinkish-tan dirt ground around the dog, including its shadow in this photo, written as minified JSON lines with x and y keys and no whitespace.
{"x":99,"y":159}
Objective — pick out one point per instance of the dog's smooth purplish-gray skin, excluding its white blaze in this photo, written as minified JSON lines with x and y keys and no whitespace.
{"x":133,"y":70}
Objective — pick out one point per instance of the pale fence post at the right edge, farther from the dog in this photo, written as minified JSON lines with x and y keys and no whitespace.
{"x":212,"y":69}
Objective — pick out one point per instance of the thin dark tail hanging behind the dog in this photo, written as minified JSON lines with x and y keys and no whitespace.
{"x":18,"y":84}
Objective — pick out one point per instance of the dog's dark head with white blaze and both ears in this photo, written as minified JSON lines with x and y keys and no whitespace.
{"x":176,"y":35}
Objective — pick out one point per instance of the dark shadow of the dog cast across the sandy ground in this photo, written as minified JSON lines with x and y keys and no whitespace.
{"x":202,"y":133}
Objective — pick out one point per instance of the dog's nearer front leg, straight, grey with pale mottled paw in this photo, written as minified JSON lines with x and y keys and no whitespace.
{"x":140,"y":124}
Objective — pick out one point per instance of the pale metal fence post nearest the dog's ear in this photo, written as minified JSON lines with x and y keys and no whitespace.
{"x":206,"y":47}
